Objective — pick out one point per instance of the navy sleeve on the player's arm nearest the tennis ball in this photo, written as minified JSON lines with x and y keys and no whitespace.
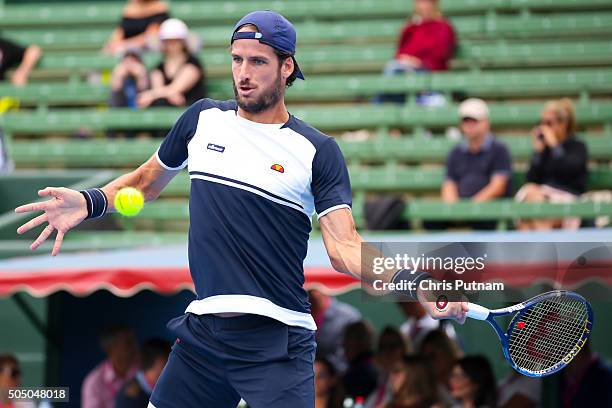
{"x":172,"y":154}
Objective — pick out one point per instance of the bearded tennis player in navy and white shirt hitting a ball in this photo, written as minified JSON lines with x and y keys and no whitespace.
{"x":257,"y":174}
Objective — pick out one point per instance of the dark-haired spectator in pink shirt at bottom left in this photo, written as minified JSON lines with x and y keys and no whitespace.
{"x":102,"y":384}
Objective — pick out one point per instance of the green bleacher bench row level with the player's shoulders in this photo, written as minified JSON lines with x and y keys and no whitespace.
{"x":326,"y":118}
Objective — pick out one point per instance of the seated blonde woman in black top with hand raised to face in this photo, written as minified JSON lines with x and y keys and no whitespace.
{"x":558,"y":169}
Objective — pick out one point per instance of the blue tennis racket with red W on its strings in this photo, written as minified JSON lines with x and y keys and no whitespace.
{"x":545,"y":333}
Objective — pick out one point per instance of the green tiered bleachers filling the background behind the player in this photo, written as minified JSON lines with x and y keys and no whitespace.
{"x":514,"y":53}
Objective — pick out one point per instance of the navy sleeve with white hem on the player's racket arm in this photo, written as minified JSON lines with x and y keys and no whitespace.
{"x":331,"y":186}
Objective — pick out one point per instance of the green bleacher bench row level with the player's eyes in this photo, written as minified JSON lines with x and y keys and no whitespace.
{"x":349,"y":58}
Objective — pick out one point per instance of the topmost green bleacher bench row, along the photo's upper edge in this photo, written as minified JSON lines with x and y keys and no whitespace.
{"x":215,"y":11}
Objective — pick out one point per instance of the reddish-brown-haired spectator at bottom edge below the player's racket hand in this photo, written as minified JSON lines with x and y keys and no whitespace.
{"x":413,"y":384}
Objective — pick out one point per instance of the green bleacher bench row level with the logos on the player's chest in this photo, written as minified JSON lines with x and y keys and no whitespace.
{"x":129,"y":153}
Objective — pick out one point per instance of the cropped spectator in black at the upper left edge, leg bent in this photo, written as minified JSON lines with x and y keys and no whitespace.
{"x":23,"y":59}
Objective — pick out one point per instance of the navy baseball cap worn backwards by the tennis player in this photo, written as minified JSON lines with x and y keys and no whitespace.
{"x":273,"y":30}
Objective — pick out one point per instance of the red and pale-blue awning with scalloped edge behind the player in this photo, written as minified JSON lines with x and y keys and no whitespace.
{"x":165,"y":270}
